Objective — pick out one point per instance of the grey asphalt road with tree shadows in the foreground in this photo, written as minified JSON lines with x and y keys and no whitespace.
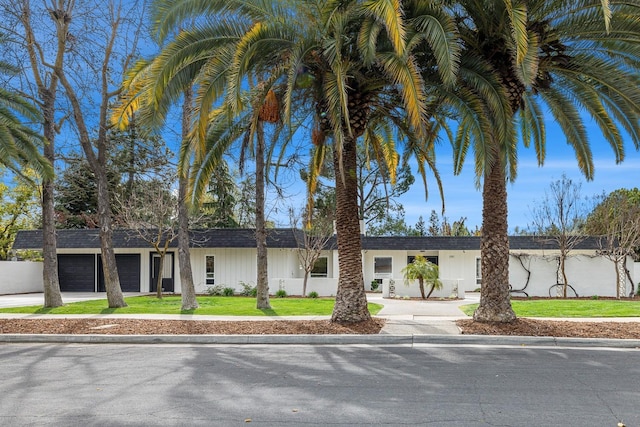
{"x":205,"y":385}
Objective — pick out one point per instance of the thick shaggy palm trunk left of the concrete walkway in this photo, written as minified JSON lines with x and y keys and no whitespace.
{"x":351,"y":299}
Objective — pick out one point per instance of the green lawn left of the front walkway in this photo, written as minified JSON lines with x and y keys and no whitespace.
{"x":217,"y":306}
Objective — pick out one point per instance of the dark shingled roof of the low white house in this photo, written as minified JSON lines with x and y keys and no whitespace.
{"x":278,"y":238}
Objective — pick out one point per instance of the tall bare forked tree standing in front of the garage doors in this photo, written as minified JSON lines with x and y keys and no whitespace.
{"x":105,"y":54}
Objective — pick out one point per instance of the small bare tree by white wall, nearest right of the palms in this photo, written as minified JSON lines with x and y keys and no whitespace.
{"x":558,"y":218}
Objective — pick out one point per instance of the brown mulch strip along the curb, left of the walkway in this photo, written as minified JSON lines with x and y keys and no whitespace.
{"x":184,"y":327}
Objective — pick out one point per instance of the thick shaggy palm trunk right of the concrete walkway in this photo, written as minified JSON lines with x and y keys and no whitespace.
{"x":495,"y":297}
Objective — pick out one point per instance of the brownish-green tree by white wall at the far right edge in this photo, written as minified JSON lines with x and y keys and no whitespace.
{"x":617,"y":218}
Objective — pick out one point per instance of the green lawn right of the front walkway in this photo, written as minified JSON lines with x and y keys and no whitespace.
{"x":569,"y":308}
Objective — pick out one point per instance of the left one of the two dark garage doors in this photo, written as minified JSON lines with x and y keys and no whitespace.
{"x":77,"y":273}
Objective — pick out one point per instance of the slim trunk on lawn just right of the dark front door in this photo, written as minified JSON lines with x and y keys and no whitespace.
{"x":188,"y":290}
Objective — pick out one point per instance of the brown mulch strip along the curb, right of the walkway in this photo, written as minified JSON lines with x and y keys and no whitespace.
{"x":547,"y":328}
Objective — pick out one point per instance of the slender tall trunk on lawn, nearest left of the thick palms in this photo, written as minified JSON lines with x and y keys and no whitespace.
{"x":262,"y":297}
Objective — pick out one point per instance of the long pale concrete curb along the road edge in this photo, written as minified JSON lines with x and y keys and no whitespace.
{"x":381,"y":340}
